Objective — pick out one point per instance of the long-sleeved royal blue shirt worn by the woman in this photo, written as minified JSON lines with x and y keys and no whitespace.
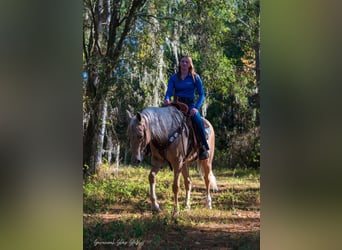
{"x":186,"y":88}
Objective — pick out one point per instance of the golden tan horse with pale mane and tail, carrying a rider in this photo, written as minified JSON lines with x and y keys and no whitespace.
{"x":168,"y":135}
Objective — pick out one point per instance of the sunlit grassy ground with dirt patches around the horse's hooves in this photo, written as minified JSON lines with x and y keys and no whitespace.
{"x":125,"y":199}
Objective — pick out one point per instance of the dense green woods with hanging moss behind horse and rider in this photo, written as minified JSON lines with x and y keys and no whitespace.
{"x":130,"y":48}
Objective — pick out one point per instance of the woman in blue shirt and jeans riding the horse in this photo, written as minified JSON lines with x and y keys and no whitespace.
{"x":184,"y":83}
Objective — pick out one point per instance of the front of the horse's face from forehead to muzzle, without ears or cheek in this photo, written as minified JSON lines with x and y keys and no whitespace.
{"x":137,"y":139}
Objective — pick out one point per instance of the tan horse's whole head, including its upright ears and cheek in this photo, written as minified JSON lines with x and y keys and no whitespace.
{"x":138,"y":136}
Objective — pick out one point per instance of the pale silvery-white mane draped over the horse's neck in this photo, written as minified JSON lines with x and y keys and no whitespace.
{"x":162,"y":121}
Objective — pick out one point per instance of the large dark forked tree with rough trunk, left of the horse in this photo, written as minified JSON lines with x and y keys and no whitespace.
{"x":106,"y":26}
